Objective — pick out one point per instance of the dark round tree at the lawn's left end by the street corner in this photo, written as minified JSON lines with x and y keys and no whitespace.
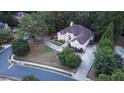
{"x":20,"y":47}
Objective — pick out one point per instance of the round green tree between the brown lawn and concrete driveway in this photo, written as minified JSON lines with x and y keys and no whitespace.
{"x":69,"y":58}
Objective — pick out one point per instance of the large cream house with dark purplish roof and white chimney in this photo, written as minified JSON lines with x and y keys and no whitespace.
{"x":77,"y":35}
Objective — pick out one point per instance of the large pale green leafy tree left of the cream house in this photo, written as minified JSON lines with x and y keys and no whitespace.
{"x":34,"y":25}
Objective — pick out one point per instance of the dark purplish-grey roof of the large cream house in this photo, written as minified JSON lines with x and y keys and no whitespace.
{"x":82,"y":32}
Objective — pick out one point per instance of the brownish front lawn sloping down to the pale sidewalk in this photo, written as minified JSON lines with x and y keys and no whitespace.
{"x":45,"y":56}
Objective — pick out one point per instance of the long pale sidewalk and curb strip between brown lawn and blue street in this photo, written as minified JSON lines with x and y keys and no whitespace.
{"x":13,"y":61}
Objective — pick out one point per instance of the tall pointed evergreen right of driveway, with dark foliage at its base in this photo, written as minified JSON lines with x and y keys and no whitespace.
{"x":106,"y":61}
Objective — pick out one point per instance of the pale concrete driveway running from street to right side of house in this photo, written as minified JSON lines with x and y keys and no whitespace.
{"x":87,"y":61}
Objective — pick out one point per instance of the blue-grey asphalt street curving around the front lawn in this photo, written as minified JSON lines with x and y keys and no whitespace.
{"x":19,"y":71}
